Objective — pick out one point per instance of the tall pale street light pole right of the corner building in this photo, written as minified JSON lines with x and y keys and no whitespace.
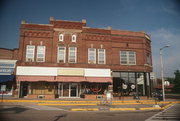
{"x":162,"y":70}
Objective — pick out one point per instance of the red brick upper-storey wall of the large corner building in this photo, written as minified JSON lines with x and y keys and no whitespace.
{"x":111,"y":40}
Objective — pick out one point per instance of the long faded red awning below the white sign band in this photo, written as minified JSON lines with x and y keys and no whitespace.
{"x":64,"y":79}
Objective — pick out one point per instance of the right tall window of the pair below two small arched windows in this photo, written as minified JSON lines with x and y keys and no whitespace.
{"x":72,"y":54}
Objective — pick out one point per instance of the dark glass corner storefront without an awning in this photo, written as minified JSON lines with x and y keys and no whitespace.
{"x":131,"y":84}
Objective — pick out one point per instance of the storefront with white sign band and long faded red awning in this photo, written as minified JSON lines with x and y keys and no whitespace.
{"x":52,"y":82}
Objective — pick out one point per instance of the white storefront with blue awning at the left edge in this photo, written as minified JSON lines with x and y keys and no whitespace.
{"x":7,"y":78}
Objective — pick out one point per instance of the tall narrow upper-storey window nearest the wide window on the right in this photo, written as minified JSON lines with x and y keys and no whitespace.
{"x":101,"y":56}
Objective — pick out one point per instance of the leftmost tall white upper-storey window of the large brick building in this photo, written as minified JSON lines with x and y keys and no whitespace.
{"x":30,"y":53}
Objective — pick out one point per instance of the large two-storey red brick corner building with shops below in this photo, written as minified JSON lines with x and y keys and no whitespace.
{"x":68,"y":59}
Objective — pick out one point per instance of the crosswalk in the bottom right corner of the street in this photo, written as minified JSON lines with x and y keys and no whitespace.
{"x":170,"y":114}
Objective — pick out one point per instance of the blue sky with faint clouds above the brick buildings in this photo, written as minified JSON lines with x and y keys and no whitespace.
{"x":159,"y":18}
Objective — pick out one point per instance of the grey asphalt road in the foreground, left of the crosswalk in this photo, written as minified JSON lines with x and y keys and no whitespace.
{"x":22,"y":113}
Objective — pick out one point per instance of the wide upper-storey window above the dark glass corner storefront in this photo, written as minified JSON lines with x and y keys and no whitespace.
{"x":128,"y":58}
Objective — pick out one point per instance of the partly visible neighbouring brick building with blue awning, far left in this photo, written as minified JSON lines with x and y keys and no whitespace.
{"x":8,"y":59}
